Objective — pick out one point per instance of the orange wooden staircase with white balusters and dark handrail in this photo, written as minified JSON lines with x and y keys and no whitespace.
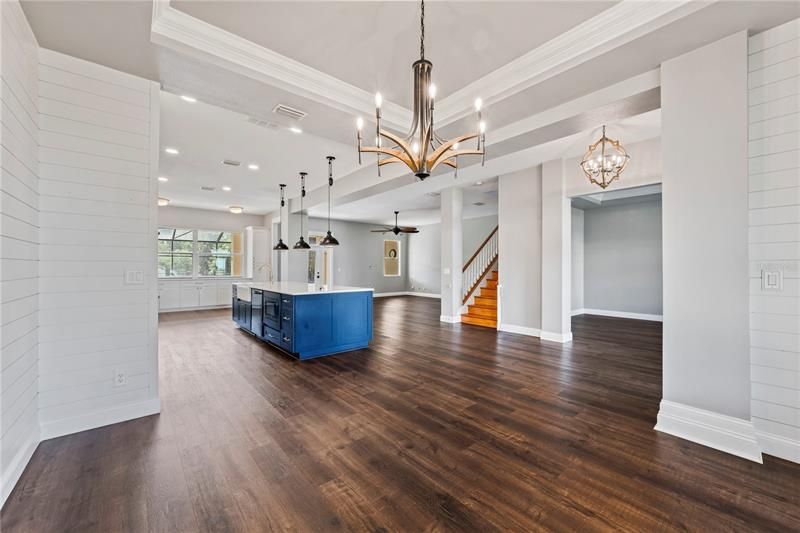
{"x":483,"y":310}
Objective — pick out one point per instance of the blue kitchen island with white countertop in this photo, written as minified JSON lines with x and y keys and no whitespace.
{"x":303,"y":322}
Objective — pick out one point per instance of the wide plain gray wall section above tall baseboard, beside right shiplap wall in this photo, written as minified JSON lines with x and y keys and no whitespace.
{"x":704,"y":112}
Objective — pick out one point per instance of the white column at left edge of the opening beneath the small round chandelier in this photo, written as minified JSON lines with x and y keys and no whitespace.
{"x":556,"y":249}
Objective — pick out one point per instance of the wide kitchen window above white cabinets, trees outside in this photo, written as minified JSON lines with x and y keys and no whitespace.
{"x":192,"y":253}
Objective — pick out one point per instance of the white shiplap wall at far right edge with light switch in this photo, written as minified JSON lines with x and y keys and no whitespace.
{"x":774,"y":165}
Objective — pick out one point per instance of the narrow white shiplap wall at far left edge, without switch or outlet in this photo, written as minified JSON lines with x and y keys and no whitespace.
{"x":19,"y":237}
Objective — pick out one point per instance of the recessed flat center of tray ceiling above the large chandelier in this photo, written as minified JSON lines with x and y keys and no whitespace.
{"x":372,"y":44}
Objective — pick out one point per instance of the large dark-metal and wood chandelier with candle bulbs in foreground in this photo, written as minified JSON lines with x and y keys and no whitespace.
{"x":422,"y":150}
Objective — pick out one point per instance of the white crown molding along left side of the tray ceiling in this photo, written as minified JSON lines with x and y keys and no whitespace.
{"x":188,"y":35}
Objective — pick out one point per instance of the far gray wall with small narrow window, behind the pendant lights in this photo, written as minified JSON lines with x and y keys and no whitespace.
{"x":358,"y":260}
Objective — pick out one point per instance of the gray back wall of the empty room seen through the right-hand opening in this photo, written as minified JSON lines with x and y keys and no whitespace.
{"x":622,"y":258}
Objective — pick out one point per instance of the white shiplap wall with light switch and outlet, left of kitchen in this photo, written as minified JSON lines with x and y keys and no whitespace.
{"x":98,"y":157}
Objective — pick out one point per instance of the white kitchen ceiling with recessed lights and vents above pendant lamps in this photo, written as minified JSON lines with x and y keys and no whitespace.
{"x":205,"y":135}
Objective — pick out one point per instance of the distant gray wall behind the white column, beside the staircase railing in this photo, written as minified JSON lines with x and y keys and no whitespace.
{"x":424,"y":267}
